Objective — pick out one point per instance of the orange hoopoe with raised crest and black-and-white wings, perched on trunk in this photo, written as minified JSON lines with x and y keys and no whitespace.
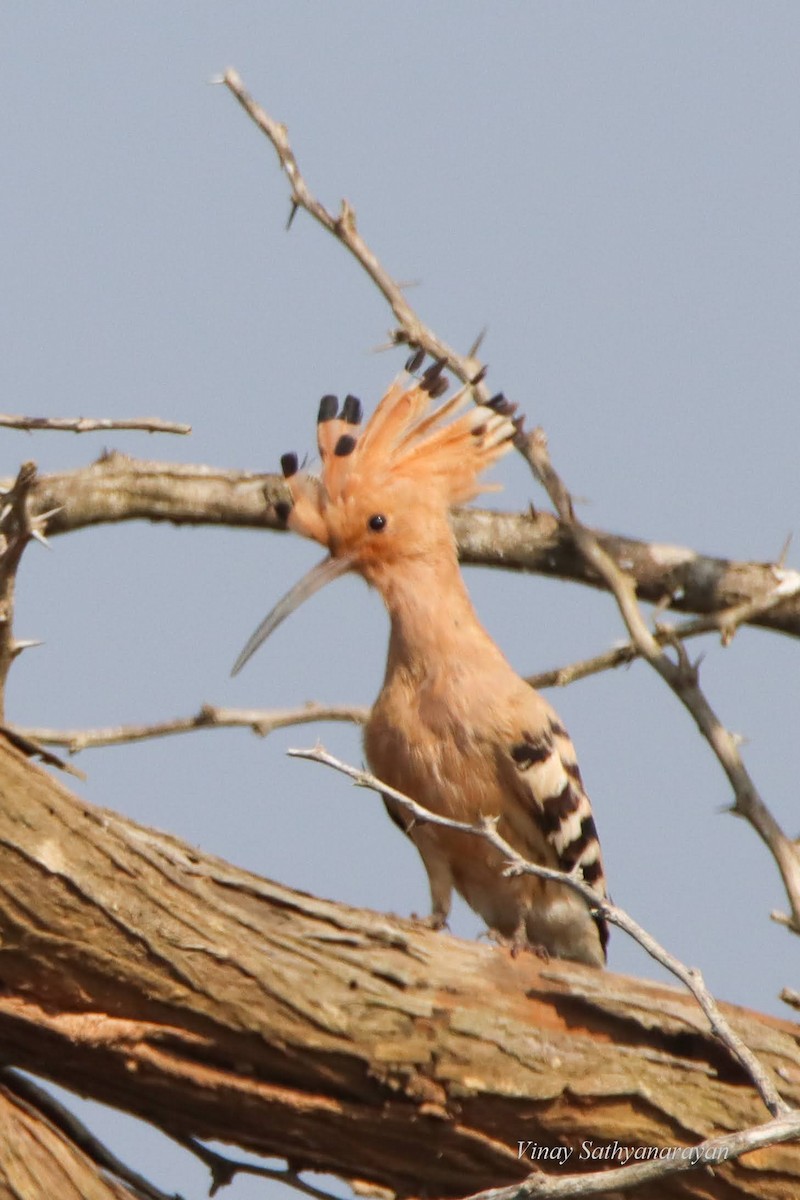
{"x":454,"y":728}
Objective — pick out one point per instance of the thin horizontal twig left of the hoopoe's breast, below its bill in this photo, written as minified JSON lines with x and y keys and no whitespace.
{"x":261,"y":721}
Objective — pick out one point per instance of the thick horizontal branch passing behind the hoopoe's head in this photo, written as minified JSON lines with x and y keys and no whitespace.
{"x":122,"y":489}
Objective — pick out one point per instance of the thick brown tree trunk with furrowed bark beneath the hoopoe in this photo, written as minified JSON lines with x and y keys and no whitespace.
{"x":218,"y":1005}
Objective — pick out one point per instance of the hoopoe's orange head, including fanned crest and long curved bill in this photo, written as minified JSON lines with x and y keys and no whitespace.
{"x":384,"y":493}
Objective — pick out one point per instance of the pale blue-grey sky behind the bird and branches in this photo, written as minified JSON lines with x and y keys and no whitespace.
{"x":613,"y":189}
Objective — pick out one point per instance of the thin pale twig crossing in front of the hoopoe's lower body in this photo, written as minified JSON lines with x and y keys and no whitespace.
{"x":519,"y":866}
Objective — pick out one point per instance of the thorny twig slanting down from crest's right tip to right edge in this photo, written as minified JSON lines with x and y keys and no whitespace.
{"x":681,"y":676}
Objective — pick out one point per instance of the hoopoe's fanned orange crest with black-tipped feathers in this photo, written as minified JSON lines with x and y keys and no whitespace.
{"x":438,"y":453}
